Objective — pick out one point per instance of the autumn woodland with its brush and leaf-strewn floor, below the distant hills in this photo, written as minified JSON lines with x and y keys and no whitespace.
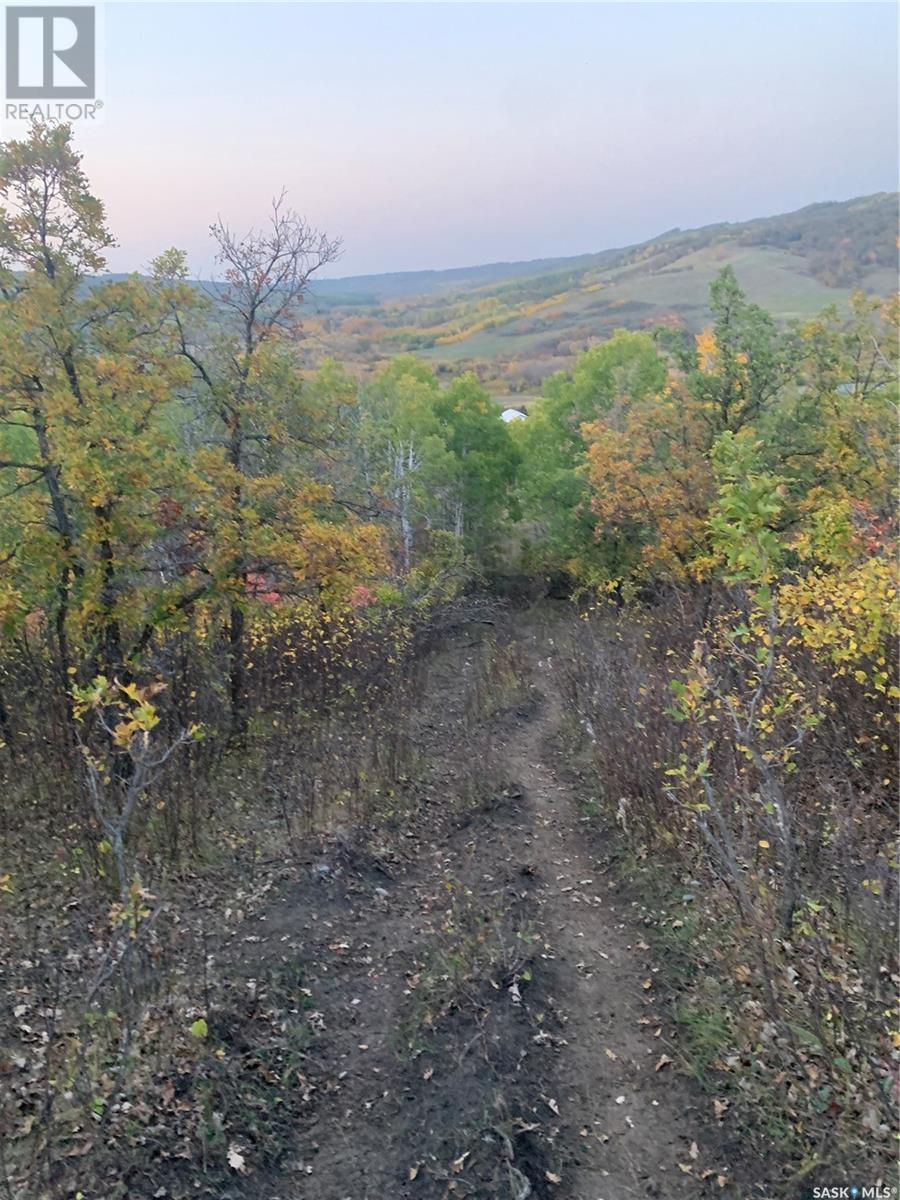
{"x":310,"y":673}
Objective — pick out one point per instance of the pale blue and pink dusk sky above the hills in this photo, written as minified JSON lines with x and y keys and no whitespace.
{"x":448,"y":135}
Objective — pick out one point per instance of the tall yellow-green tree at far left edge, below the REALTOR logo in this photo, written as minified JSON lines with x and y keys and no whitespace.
{"x":87,"y":447}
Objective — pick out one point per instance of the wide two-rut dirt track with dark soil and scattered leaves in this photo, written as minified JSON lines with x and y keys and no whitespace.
{"x":447,"y":1061}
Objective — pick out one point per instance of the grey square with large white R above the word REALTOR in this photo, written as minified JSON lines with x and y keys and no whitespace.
{"x":51,"y":52}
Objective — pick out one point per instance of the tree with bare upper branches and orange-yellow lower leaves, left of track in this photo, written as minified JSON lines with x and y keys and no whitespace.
{"x":266,"y":511}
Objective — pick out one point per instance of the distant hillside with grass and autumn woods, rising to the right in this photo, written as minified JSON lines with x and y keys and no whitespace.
{"x":527,"y":319}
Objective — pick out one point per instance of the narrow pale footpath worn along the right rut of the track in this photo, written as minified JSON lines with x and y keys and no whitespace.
{"x":628,"y":1125}
